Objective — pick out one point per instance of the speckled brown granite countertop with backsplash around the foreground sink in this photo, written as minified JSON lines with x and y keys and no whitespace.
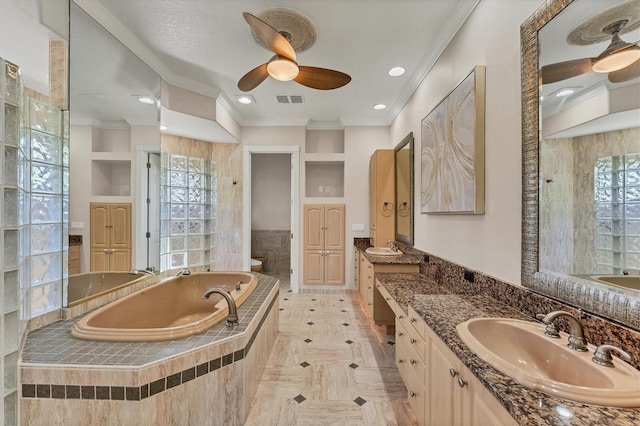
{"x":449,"y":300}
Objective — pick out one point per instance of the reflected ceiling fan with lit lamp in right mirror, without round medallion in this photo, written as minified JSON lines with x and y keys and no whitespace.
{"x":621,"y":60}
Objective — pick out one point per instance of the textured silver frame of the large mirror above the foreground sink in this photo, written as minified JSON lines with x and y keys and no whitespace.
{"x":577,"y":292}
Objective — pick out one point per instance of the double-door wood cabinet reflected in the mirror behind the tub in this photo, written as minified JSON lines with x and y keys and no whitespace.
{"x":110,"y":236}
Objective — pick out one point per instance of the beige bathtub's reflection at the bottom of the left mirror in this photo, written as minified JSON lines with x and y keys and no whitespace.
{"x":89,"y":285}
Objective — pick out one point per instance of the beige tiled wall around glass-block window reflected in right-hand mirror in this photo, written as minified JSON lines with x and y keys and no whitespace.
{"x":567,"y":210}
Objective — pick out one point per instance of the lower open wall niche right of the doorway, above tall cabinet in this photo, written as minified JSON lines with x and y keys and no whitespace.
{"x":324,"y":178}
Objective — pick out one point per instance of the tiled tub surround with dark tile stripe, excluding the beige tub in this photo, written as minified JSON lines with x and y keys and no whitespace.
{"x":209,"y":378}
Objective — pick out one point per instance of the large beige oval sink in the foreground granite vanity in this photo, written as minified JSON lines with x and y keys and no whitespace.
{"x":521,"y":350}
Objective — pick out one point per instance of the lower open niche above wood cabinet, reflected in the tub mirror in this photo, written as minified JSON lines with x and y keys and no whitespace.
{"x":111,"y":178}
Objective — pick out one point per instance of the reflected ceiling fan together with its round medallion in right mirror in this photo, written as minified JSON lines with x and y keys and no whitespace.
{"x":620,"y":60}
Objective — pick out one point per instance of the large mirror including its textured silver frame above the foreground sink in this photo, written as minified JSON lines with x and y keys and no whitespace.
{"x":581,"y":156}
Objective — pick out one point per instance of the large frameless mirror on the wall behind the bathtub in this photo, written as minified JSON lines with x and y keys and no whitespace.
{"x":115,"y":131}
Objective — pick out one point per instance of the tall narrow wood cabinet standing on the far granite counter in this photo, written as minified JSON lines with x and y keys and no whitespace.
{"x":382,"y":219}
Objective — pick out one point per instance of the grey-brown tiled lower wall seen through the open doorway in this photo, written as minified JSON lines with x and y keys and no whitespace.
{"x":275,"y":245}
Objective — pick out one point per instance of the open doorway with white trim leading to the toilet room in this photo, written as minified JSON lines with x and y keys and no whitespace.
{"x":270,"y":212}
